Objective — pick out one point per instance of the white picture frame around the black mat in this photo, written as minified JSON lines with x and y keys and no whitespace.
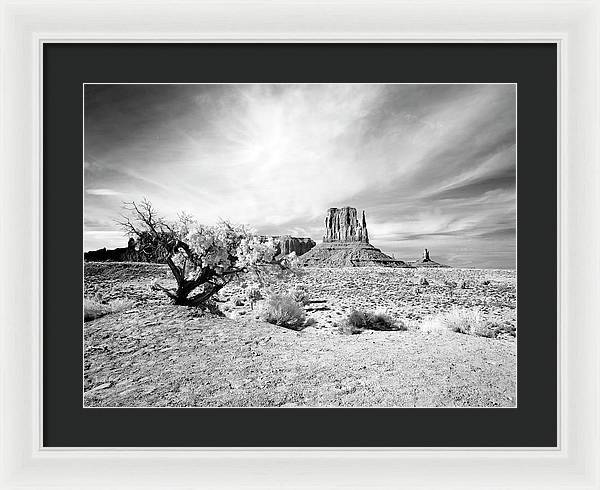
{"x":573,"y":25}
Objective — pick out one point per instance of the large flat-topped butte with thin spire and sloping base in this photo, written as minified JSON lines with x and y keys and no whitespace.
{"x":346,"y":243}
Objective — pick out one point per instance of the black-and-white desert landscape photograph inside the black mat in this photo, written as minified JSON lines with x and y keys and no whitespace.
{"x":299,"y":245}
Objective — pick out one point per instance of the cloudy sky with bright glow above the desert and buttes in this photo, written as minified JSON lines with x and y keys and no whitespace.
{"x":433,"y":166}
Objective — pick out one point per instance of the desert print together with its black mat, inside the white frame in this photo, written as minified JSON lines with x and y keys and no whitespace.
{"x":242,"y":295}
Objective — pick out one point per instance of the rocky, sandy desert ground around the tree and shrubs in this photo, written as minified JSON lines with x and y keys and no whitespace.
{"x":155,"y":354}
